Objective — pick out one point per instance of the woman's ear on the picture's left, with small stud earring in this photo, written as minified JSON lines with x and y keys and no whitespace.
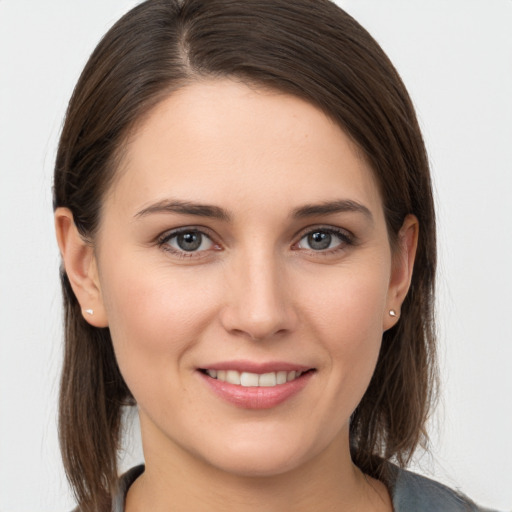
{"x":81,"y":268}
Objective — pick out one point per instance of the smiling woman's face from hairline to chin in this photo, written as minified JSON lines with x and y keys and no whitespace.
{"x":246,"y":277}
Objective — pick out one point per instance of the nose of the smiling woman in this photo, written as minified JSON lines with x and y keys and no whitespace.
{"x":259,"y":304}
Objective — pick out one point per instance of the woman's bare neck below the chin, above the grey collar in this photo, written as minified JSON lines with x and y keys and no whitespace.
{"x":176,"y":480}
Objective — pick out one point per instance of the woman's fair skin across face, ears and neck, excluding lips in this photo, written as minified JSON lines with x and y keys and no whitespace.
{"x":256,"y":290}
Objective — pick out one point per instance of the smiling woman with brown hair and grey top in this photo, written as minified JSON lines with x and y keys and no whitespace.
{"x":241,"y":195}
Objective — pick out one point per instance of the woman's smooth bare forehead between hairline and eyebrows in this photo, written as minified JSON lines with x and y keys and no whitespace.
{"x":222,"y":141}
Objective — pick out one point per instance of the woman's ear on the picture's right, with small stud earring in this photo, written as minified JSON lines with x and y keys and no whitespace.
{"x":402,"y":267}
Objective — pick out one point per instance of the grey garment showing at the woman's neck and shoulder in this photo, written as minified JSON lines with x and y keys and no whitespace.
{"x":410,"y":493}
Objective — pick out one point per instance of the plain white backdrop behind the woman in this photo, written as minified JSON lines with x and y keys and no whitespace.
{"x":455,"y":57}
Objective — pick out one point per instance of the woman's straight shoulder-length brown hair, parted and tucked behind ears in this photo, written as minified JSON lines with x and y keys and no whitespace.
{"x":308,"y":48}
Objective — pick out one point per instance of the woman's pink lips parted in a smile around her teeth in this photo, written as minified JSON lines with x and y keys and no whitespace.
{"x":256,"y":397}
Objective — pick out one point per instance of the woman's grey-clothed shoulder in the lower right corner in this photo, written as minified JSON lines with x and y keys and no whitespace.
{"x":415,"y":492}
